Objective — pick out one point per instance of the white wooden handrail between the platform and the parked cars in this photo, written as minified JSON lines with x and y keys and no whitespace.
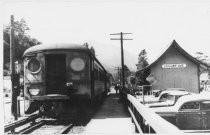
{"x":157,"y":123}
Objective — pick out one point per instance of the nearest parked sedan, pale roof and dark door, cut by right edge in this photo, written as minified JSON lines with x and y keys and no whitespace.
{"x":190,"y":112}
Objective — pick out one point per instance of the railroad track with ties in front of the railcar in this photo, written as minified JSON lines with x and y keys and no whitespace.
{"x":36,"y":125}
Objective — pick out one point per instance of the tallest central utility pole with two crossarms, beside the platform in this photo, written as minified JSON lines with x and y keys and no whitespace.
{"x":122,"y":53}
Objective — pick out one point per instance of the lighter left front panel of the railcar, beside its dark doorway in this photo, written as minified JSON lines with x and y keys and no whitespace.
{"x":33,"y":80}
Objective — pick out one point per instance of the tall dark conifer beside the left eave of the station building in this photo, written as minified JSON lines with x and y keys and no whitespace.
{"x":141,"y":75}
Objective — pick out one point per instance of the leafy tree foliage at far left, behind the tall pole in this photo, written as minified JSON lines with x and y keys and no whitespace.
{"x":22,"y":41}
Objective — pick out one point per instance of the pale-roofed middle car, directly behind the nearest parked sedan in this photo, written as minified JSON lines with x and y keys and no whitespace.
{"x":168,"y":98}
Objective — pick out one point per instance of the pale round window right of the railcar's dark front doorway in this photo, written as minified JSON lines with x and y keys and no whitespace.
{"x":77,"y":64}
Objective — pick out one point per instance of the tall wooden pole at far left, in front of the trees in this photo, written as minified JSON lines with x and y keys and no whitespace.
{"x":12,"y":70}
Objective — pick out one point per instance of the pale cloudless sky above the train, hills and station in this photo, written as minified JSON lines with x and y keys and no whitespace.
{"x":153,"y":24}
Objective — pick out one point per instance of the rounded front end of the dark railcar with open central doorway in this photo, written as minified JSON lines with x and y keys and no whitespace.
{"x":56,"y":79}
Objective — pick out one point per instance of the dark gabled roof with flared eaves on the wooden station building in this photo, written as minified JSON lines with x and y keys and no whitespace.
{"x":175,"y":45}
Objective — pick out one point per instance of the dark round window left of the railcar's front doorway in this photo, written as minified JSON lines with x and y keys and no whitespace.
{"x":34,"y":66}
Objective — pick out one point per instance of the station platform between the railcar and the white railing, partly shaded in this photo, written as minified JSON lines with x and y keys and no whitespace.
{"x":111,"y":118}
